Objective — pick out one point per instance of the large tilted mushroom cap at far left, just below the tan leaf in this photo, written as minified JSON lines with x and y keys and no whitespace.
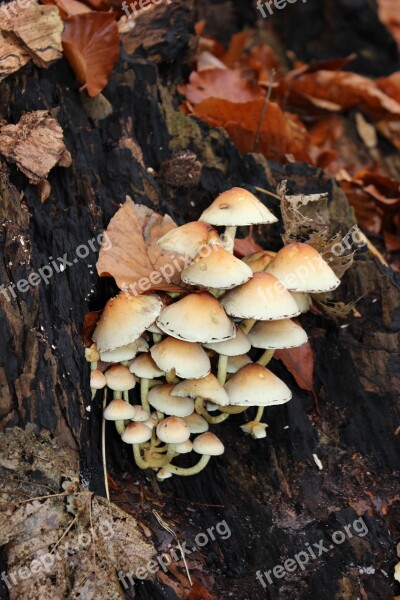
{"x":124,"y":319}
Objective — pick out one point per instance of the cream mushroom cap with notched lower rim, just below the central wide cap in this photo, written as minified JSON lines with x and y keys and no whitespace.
{"x":188,"y":359}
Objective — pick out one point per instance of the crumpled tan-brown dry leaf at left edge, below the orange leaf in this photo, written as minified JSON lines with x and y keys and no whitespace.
{"x":35,"y":144}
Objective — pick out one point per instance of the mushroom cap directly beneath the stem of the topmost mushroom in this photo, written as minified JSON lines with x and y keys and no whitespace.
{"x":215,"y":267}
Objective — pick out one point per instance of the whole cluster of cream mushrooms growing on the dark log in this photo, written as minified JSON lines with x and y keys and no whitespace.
{"x":189,"y":351}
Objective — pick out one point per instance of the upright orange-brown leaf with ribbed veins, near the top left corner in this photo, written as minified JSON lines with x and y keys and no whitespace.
{"x":91,"y":45}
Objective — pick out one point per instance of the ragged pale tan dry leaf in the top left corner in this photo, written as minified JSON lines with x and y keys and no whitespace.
{"x":37,"y":28}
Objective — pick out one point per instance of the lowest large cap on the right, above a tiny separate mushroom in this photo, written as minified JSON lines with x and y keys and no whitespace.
{"x":255,"y":385}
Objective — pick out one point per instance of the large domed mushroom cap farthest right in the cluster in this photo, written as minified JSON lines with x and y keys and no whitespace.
{"x":302,"y":269}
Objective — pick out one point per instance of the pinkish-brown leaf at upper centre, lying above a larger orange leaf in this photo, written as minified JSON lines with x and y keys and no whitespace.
{"x":227,"y":84}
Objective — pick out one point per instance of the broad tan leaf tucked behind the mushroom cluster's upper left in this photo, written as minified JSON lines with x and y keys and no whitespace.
{"x":134,"y":255}
